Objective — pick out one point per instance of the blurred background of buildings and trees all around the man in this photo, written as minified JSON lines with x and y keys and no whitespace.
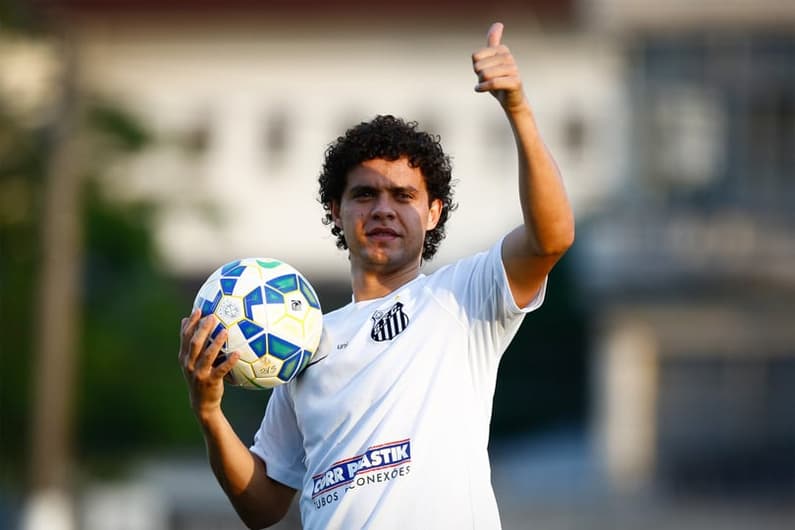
{"x":144,"y":143}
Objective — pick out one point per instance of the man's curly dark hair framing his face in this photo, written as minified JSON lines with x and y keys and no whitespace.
{"x":389,"y":138}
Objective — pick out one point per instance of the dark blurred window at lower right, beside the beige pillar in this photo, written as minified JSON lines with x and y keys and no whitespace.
{"x":726,"y":424}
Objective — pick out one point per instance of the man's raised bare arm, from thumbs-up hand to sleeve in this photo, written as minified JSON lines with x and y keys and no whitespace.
{"x":531,"y":250}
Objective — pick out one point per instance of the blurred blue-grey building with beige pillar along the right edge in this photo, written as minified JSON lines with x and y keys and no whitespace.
{"x":693,"y":261}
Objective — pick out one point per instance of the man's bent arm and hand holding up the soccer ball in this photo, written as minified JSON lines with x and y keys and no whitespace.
{"x":258,"y":500}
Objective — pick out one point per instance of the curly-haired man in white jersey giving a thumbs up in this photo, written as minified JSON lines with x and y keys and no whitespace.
{"x":388,"y":427}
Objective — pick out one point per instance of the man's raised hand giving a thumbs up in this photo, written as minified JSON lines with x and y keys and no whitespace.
{"x":497,"y":71}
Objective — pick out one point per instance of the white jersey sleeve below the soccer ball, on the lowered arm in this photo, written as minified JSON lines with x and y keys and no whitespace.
{"x":278,"y":441}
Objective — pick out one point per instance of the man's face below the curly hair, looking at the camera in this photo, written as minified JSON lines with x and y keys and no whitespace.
{"x":384,"y":213}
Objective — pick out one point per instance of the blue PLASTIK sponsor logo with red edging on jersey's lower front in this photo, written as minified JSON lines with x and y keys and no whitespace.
{"x":375,"y":459}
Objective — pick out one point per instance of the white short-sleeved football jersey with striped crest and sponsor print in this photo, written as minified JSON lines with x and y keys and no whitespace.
{"x":388,"y":426}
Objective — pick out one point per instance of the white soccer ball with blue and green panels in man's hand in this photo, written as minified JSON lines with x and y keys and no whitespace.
{"x":272,"y":316}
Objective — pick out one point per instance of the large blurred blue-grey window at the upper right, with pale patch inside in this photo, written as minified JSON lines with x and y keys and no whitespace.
{"x":715,"y":118}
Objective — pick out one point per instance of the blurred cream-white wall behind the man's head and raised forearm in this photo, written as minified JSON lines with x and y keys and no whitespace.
{"x":234,"y":79}
